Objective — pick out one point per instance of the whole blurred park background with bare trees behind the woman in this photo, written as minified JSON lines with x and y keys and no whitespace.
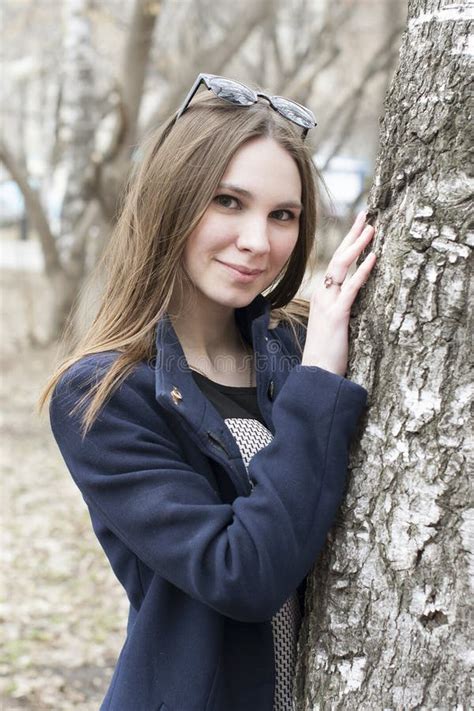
{"x":82,"y":81}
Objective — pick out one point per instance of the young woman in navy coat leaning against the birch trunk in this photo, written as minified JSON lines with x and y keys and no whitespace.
{"x":205,"y":422}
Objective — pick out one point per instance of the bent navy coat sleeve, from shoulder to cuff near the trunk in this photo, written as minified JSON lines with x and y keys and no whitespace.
{"x":243,"y":559}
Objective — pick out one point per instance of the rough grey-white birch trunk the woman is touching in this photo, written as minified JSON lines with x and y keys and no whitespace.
{"x":386,"y":623}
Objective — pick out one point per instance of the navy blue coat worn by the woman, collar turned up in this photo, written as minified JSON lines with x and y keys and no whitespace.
{"x":207,"y":554}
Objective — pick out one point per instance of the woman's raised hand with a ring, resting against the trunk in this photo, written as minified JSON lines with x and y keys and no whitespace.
{"x":327,"y":342}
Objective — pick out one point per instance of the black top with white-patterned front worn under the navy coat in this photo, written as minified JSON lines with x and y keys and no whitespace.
{"x":239,"y":408}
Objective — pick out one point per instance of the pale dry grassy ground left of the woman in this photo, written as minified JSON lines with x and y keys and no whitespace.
{"x":63,"y":613}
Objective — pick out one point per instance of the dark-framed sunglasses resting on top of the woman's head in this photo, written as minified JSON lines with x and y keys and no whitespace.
{"x":240,"y":95}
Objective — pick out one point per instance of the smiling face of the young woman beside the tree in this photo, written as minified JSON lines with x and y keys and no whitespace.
{"x":251,"y":224}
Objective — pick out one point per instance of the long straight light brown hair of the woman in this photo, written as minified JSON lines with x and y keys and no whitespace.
{"x":178,"y":170}
